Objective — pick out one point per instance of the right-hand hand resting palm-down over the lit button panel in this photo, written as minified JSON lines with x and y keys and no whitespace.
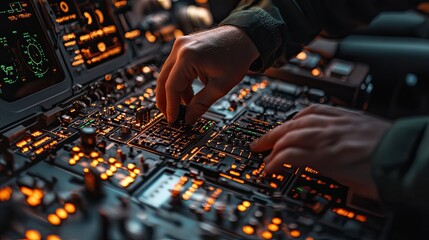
{"x":336,"y":142}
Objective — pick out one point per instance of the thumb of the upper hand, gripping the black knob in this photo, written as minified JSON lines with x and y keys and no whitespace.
{"x":201,"y":103}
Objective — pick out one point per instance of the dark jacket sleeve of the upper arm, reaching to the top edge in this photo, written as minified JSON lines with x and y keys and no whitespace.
{"x":280,"y":27}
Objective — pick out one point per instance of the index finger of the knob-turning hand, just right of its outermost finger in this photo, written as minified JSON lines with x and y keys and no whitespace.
{"x":181,"y":76}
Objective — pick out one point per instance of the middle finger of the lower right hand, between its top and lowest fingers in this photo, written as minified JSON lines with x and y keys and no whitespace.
{"x":306,"y":138}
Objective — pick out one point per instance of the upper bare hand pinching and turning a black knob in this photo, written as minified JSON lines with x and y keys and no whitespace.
{"x":219,"y":57}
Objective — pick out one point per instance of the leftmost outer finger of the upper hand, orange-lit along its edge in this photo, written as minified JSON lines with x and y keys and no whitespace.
{"x":160,"y":85}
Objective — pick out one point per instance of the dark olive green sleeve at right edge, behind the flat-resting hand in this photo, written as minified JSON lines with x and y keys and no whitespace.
{"x":401,"y":164}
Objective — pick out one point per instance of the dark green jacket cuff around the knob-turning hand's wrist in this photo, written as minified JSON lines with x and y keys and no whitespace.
{"x":265,"y":32}
